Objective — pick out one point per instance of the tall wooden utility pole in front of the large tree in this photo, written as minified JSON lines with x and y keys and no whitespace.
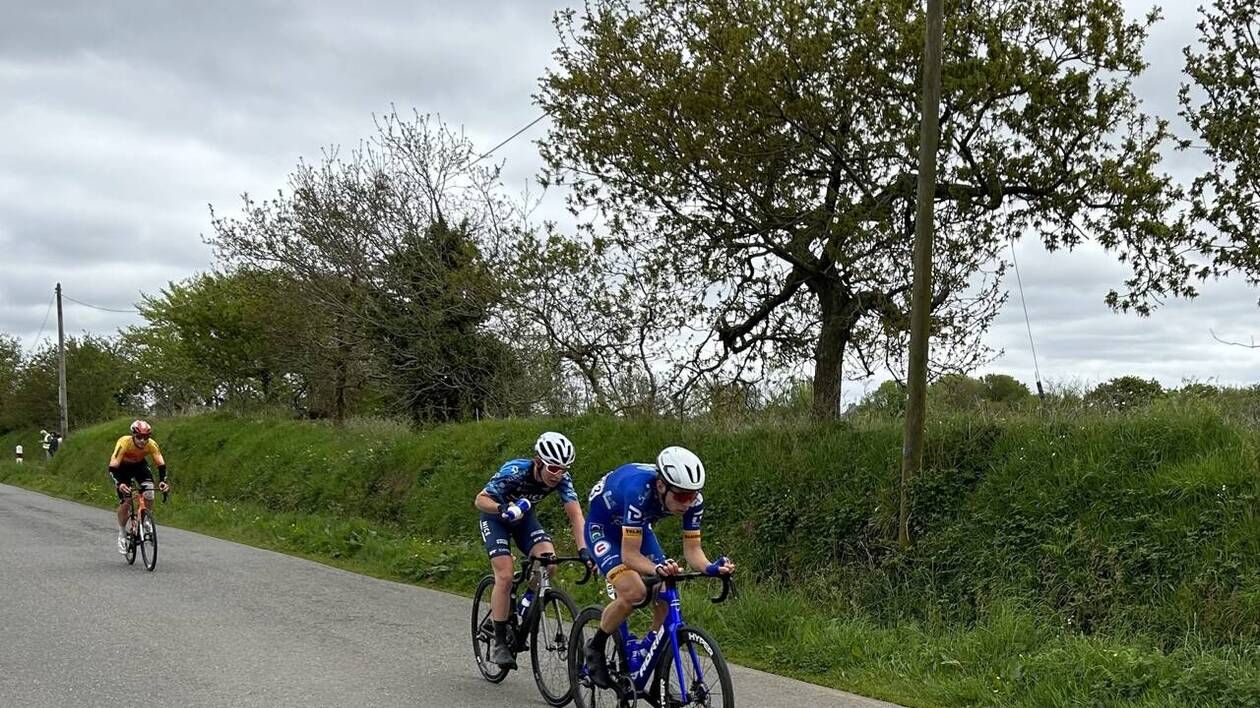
{"x":920,"y":299}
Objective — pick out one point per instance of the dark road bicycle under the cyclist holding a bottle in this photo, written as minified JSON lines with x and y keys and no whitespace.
{"x":542,"y":618}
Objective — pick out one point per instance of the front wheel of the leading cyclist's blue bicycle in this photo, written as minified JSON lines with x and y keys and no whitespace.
{"x":705,"y":673}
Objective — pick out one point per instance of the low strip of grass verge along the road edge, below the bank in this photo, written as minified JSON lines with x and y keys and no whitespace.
{"x":1010,"y":656}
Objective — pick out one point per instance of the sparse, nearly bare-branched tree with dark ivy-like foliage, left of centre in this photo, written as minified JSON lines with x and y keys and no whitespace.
{"x":389,"y":246}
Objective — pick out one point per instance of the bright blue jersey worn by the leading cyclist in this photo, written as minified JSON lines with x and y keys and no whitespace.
{"x":627,"y":498}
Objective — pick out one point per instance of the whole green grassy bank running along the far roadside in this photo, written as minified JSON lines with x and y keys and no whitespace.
{"x":1058,"y":562}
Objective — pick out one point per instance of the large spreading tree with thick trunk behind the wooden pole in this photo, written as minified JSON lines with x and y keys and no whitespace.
{"x":762,"y":156}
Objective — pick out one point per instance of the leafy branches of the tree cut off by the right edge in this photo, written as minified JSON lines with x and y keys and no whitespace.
{"x":1223,"y":106}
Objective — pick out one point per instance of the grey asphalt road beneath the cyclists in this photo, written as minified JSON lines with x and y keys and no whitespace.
{"x":224,"y":624}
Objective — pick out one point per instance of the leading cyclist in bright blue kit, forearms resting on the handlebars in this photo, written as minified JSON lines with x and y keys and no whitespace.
{"x":624,"y":505}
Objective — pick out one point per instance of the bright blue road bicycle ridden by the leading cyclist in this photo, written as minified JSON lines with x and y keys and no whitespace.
{"x":676,"y":667}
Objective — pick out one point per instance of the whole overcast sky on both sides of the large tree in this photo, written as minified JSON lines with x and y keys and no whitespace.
{"x":124,"y":120}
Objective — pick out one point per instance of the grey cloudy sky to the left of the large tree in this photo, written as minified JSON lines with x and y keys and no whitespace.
{"x":127,"y":120}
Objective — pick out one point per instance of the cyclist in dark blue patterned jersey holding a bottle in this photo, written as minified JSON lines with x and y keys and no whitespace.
{"x":507,"y":513}
